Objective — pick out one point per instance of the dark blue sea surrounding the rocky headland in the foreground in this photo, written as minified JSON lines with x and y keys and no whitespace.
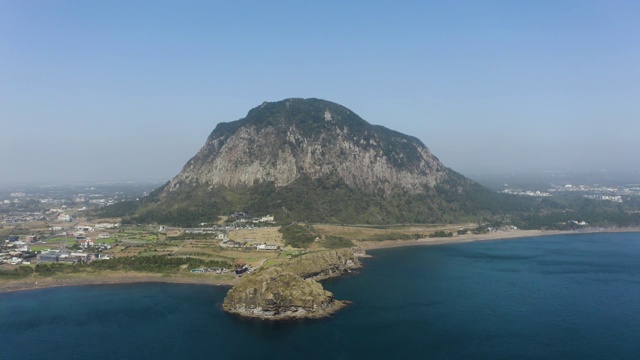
{"x":554,"y":297}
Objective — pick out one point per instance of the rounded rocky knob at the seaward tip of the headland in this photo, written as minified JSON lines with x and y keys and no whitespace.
{"x":276,"y":294}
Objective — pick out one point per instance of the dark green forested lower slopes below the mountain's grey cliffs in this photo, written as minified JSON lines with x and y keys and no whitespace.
{"x":329,"y":200}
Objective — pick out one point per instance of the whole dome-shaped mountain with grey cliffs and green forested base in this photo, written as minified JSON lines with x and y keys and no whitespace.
{"x":314,"y":160}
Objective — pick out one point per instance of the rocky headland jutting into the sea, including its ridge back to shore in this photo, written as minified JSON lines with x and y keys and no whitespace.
{"x":290,"y":291}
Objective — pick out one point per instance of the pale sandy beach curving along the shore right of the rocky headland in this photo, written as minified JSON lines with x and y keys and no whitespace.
{"x":505,"y":235}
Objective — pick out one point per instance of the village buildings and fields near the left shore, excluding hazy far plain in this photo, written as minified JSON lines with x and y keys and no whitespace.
{"x":65,"y":239}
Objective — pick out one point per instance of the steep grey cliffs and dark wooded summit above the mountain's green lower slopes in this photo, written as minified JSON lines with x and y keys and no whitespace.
{"x":283,"y":141}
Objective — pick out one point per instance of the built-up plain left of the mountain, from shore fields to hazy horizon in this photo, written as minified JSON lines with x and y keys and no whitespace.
{"x":50,"y":225}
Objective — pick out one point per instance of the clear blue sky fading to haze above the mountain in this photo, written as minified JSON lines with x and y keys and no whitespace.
{"x":129,"y":90}
